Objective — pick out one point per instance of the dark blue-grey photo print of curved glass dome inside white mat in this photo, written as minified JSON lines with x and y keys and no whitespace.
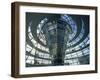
{"x":57,"y":39}
